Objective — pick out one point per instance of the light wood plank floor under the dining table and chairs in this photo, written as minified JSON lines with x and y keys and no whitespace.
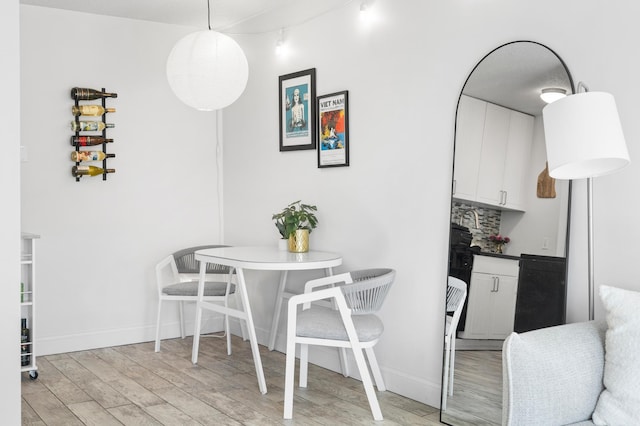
{"x":133,"y":385}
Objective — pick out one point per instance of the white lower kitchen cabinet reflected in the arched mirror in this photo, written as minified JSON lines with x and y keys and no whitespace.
{"x":492,"y":298}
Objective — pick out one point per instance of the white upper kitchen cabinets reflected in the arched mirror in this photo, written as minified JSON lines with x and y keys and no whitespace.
{"x":493,"y":145}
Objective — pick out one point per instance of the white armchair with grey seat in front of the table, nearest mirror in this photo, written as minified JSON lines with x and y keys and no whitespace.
{"x":351,"y":324}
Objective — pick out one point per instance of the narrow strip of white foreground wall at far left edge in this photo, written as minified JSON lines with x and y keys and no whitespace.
{"x":10,"y":224}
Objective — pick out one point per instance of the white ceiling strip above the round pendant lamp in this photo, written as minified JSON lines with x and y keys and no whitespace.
{"x":231,"y":16}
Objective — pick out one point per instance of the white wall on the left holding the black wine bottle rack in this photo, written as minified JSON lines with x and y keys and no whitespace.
{"x":101,"y":239}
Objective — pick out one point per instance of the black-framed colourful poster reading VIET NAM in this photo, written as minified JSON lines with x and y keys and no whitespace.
{"x":333,"y":130}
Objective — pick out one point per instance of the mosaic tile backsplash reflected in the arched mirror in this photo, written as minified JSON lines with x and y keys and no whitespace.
{"x":489,"y":223}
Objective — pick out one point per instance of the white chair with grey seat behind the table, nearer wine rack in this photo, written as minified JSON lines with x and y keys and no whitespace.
{"x":177,"y":278}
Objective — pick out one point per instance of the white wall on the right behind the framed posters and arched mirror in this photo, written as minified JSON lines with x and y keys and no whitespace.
{"x":391,"y":206}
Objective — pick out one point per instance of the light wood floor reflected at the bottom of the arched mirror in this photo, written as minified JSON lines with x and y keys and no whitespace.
{"x":477,"y":389}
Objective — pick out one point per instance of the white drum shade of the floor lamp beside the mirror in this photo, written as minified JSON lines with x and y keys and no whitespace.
{"x":583,"y":136}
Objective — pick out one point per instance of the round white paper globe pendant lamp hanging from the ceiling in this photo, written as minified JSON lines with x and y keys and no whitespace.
{"x":207,"y":70}
